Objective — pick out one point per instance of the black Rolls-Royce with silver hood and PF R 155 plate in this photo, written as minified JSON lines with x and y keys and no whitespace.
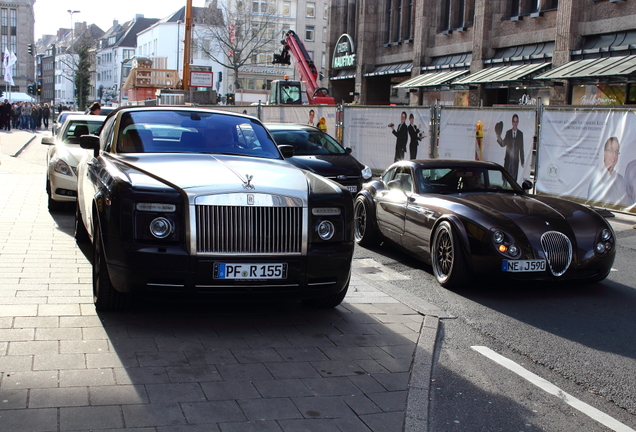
{"x":196,"y":203}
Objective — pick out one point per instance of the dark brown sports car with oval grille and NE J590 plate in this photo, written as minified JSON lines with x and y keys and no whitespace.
{"x":471,"y":218}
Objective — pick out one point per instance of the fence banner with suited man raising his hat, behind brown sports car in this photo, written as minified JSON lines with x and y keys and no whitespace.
{"x":507,"y":137}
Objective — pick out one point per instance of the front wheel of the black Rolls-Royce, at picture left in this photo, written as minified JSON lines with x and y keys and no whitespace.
{"x":105,"y":296}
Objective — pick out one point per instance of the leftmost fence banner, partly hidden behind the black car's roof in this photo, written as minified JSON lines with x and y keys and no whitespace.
{"x":321,"y":116}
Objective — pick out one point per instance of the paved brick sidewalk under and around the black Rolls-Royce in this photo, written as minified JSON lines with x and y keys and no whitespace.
{"x":363,"y":366}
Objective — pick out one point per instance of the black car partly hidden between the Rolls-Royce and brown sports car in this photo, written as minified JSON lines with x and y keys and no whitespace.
{"x":320,"y":153}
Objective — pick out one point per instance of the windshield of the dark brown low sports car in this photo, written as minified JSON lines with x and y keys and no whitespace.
{"x":464,"y":179}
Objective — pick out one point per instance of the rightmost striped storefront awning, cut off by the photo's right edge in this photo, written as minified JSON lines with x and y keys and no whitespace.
{"x":593,"y":68}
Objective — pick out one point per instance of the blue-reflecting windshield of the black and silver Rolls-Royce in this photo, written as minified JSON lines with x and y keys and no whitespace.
{"x":193,"y":132}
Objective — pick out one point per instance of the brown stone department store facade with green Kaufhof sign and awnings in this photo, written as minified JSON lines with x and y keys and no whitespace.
{"x":482,"y":52}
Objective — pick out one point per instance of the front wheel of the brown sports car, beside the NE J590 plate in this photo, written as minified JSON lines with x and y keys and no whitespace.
{"x":449,"y":264}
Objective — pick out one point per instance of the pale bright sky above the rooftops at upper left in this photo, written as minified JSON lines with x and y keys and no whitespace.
{"x":51,"y":15}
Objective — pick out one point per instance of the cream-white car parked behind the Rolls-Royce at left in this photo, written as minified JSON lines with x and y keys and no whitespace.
{"x":63,"y":155}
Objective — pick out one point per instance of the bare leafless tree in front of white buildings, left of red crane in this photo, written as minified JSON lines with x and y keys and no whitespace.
{"x":238,"y":32}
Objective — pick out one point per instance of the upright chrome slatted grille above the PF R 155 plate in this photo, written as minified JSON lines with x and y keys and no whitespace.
{"x":249,"y":230}
